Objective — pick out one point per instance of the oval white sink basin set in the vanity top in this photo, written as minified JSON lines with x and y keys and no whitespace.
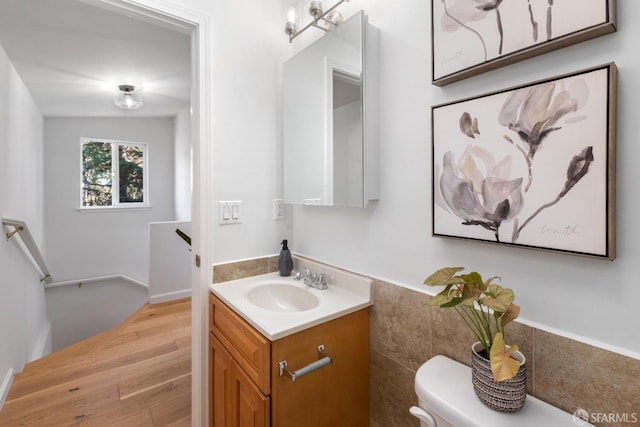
{"x":282,"y":297}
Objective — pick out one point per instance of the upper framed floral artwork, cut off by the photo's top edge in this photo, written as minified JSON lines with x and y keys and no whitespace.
{"x":470,"y":37}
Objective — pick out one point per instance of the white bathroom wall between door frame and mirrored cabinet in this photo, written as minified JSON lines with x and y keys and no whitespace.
{"x":247,"y":165}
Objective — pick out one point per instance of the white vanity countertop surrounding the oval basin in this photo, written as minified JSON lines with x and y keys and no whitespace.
{"x":346,"y":294}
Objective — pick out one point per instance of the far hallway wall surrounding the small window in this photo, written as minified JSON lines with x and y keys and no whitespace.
{"x":89,"y":243}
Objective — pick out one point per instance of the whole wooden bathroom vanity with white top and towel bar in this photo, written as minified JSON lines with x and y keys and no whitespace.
{"x":285,"y":355}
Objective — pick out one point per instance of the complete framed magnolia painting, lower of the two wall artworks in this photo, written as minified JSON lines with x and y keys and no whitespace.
{"x":531,"y":166}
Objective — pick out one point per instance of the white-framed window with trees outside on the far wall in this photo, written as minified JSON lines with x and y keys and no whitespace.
{"x":113,"y":174}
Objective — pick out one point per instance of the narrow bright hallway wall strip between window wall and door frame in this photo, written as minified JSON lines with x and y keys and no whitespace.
{"x":182,"y":165}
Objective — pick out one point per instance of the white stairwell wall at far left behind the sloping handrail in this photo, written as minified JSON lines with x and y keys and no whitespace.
{"x":22,"y":305}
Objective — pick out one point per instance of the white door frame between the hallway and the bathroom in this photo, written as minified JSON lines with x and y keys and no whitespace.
{"x":198,"y":25}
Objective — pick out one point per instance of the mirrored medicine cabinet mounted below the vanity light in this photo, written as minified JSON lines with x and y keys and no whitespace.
{"x":329,"y":118}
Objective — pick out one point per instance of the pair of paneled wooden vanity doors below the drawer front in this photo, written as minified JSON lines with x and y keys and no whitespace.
{"x":235,"y":400}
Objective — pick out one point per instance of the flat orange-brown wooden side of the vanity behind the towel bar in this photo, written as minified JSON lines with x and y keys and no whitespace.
{"x":335,"y":395}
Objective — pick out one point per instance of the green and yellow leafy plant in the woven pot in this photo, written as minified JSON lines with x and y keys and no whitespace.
{"x":485,"y":307}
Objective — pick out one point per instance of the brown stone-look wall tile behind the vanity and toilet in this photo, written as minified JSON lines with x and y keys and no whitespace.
{"x":404,"y":333}
